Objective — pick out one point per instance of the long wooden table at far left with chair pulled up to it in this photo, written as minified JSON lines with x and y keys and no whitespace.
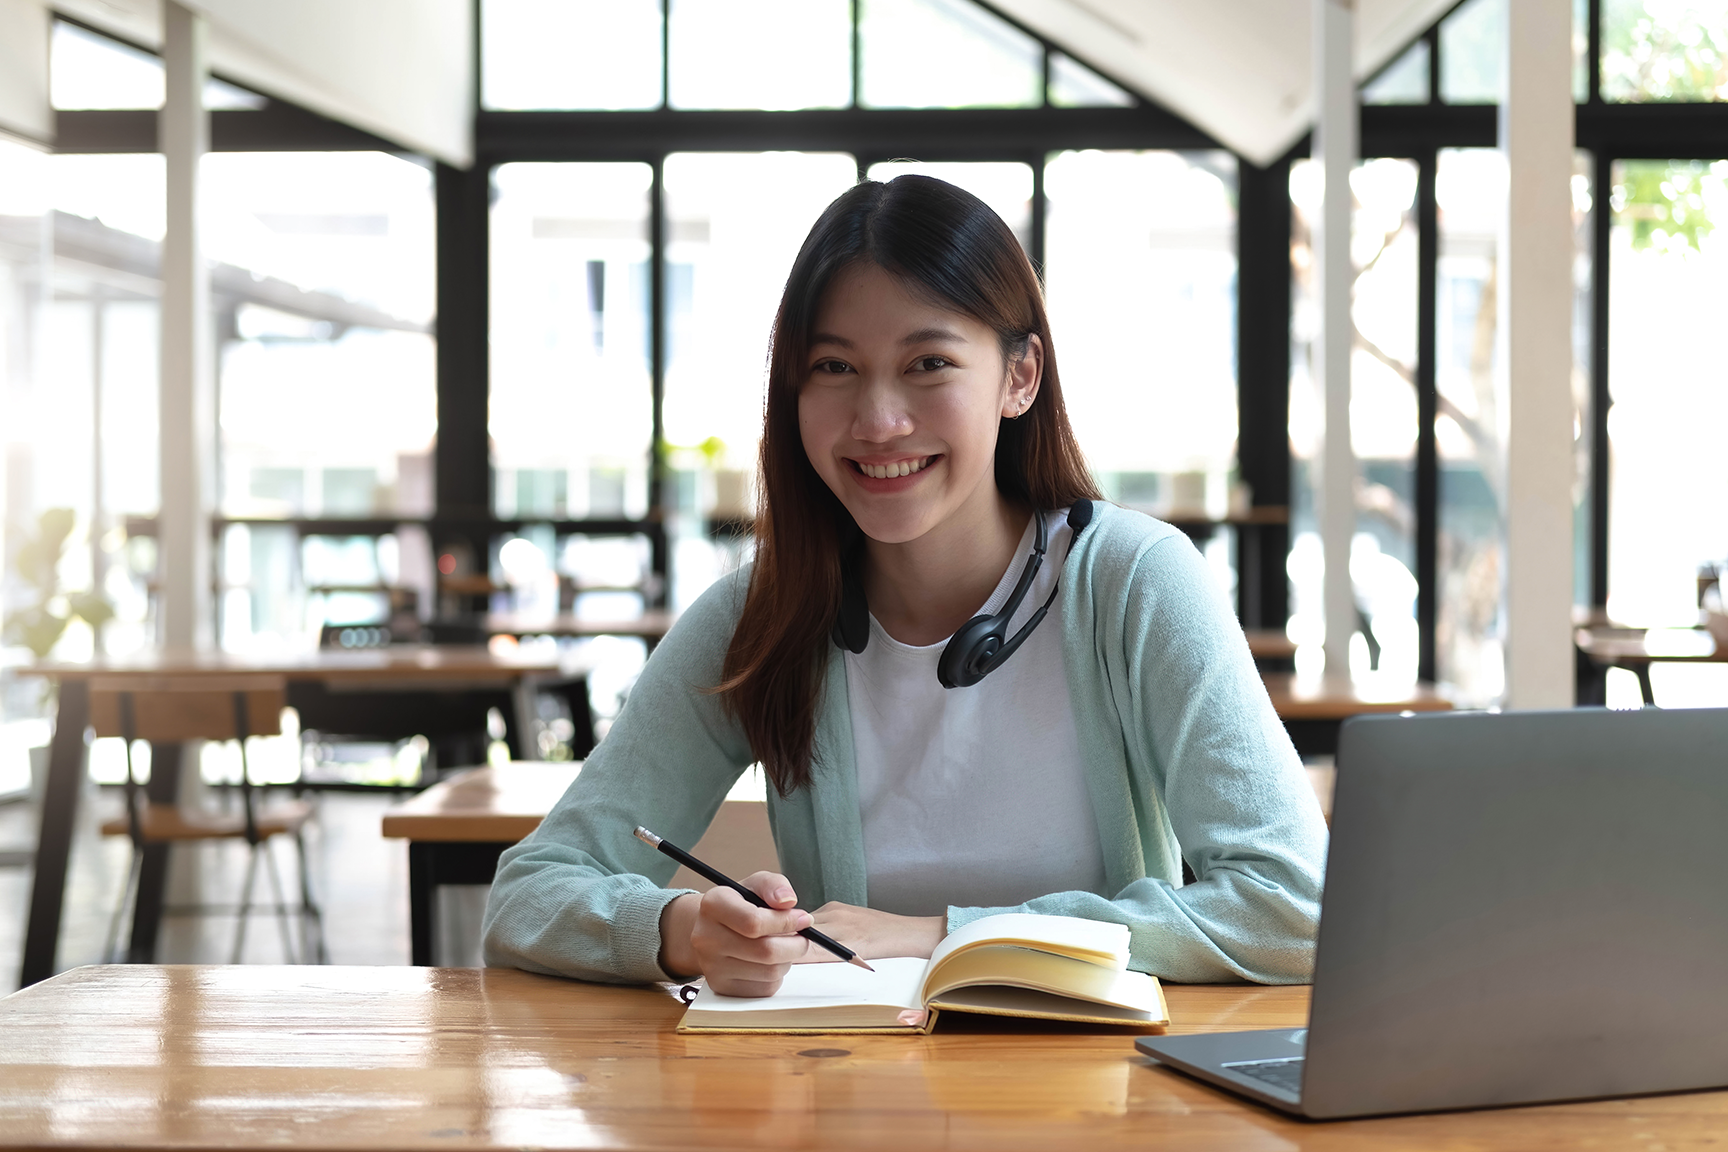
{"x":383,"y":669}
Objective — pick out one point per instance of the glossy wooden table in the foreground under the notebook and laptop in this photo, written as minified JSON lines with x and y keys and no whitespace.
{"x":400,"y":1058}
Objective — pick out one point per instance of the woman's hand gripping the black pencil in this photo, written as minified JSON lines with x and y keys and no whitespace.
{"x":740,"y":949}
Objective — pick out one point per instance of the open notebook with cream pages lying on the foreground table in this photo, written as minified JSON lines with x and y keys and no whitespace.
{"x":1055,"y":968}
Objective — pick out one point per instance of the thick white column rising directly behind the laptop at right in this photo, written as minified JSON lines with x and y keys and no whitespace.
{"x":1535,"y":326}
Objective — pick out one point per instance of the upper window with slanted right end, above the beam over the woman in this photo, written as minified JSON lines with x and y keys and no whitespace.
{"x":772,"y":54}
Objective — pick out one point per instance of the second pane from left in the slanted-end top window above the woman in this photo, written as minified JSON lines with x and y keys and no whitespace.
{"x":761,"y":54}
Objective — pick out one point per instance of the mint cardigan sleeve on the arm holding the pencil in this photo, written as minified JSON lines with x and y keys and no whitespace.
{"x":581,"y":896}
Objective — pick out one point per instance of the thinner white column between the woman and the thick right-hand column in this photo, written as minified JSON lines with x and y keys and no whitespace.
{"x":1335,"y":151}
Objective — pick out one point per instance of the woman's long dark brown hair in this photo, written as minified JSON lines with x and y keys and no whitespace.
{"x":950,"y":248}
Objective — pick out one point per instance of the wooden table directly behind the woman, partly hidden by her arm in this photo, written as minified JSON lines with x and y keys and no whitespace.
{"x":461,"y":826}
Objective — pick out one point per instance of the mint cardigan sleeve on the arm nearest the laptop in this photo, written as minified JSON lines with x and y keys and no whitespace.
{"x":1181,"y":707}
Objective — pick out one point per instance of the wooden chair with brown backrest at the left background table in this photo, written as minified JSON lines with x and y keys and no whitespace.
{"x":168,"y":709}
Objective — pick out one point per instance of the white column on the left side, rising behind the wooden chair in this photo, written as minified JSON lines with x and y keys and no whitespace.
{"x":187,"y":396}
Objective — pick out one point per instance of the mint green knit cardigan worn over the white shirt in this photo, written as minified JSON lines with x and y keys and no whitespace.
{"x":1185,"y":757}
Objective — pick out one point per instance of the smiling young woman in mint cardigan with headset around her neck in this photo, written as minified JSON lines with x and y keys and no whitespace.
{"x":918,"y":471}
